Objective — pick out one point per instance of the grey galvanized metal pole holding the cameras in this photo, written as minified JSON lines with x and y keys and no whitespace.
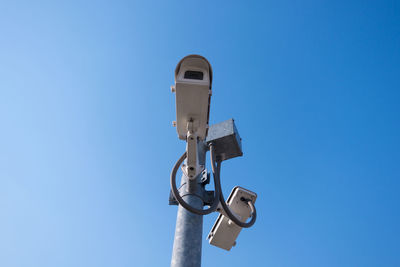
{"x":189,"y":226}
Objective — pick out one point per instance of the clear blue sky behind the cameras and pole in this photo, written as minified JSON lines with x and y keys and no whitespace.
{"x":86,"y":142}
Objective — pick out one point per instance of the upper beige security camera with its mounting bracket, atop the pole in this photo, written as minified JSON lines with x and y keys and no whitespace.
{"x":193,"y":78}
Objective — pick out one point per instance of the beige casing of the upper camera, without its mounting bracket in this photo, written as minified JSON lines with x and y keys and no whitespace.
{"x":193,"y":96}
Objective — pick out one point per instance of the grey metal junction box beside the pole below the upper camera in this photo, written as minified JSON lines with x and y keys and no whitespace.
{"x":226,"y":140}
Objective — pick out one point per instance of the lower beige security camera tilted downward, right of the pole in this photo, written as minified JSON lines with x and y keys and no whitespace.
{"x":225,"y":232}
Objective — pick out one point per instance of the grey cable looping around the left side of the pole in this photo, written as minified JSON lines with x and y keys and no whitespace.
{"x":182,"y":202}
